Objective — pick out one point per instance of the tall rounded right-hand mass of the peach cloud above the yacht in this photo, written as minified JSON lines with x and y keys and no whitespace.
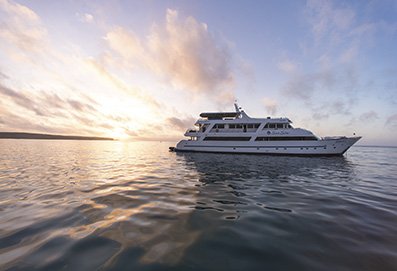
{"x":189,"y":55}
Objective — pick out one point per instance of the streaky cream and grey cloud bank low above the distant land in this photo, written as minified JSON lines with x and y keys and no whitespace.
{"x":53,"y":114}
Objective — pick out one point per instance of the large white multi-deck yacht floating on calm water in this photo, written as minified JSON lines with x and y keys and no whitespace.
{"x":236,"y":132}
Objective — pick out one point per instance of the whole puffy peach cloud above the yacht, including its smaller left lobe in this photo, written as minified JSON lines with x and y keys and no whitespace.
{"x":184,"y":52}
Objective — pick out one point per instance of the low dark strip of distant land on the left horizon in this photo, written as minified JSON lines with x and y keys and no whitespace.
{"x":49,"y":136}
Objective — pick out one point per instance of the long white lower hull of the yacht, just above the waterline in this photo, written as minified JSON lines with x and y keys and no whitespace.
{"x":323,"y":147}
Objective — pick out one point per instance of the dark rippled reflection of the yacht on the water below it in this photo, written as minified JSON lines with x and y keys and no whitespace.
{"x":233,"y":185}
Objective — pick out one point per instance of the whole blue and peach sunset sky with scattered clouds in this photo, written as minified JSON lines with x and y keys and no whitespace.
{"x":144,"y":70}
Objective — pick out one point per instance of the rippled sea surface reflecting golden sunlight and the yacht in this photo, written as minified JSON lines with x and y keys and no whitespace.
{"x":92,"y":205}
